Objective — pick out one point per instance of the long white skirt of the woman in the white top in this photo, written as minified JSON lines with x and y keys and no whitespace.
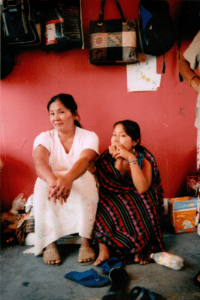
{"x":77,"y":215}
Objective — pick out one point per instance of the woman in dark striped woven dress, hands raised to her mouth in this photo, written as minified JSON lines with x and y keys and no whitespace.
{"x":130,"y":198}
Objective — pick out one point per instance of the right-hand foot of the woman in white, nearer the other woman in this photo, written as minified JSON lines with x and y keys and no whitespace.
{"x":86,"y":252}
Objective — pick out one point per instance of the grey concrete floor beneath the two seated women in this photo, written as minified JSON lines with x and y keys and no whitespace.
{"x":24,"y":276}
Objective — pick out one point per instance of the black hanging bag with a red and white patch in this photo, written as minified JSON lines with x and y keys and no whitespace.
{"x":62,"y":26}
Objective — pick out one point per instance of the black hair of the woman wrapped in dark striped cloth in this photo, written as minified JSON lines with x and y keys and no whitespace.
{"x":133,"y":130}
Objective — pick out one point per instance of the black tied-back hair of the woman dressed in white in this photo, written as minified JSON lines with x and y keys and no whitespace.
{"x":69,"y":102}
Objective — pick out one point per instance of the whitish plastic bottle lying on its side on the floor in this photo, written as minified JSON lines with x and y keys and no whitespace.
{"x":168,"y":260}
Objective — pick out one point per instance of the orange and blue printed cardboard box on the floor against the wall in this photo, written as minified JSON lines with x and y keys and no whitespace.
{"x":183,"y":212}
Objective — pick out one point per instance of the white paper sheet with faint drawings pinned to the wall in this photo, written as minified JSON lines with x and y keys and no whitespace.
{"x":142,"y":76}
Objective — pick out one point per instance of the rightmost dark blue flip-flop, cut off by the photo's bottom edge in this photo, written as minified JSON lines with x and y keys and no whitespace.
{"x":140,"y":293}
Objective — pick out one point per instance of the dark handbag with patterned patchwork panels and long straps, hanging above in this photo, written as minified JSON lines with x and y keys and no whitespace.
{"x":113,"y":41}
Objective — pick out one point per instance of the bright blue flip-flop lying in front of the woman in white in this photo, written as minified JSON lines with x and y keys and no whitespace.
{"x":89,"y":278}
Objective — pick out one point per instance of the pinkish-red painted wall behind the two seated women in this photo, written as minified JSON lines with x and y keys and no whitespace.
{"x":166,"y":116}
